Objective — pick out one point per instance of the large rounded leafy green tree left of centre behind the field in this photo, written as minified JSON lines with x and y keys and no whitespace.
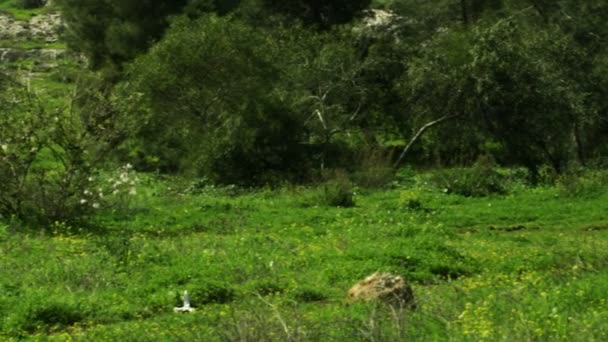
{"x":206,"y":102}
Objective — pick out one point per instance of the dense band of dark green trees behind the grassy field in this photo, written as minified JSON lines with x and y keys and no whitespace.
{"x":256,"y":92}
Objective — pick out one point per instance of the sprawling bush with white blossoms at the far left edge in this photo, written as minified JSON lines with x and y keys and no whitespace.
{"x":48,"y":159}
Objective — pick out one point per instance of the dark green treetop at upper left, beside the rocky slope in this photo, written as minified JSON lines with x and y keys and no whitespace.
{"x":112,"y":32}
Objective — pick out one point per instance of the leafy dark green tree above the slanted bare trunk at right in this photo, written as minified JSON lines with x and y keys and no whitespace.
{"x":501,"y":81}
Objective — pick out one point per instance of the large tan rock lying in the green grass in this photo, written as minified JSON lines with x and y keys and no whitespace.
{"x":384,"y":287}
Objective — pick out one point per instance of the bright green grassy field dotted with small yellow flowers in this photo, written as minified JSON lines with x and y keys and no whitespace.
{"x":276,"y":264}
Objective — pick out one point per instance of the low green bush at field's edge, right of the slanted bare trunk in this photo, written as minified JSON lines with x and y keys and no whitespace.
{"x":482,"y":179}
